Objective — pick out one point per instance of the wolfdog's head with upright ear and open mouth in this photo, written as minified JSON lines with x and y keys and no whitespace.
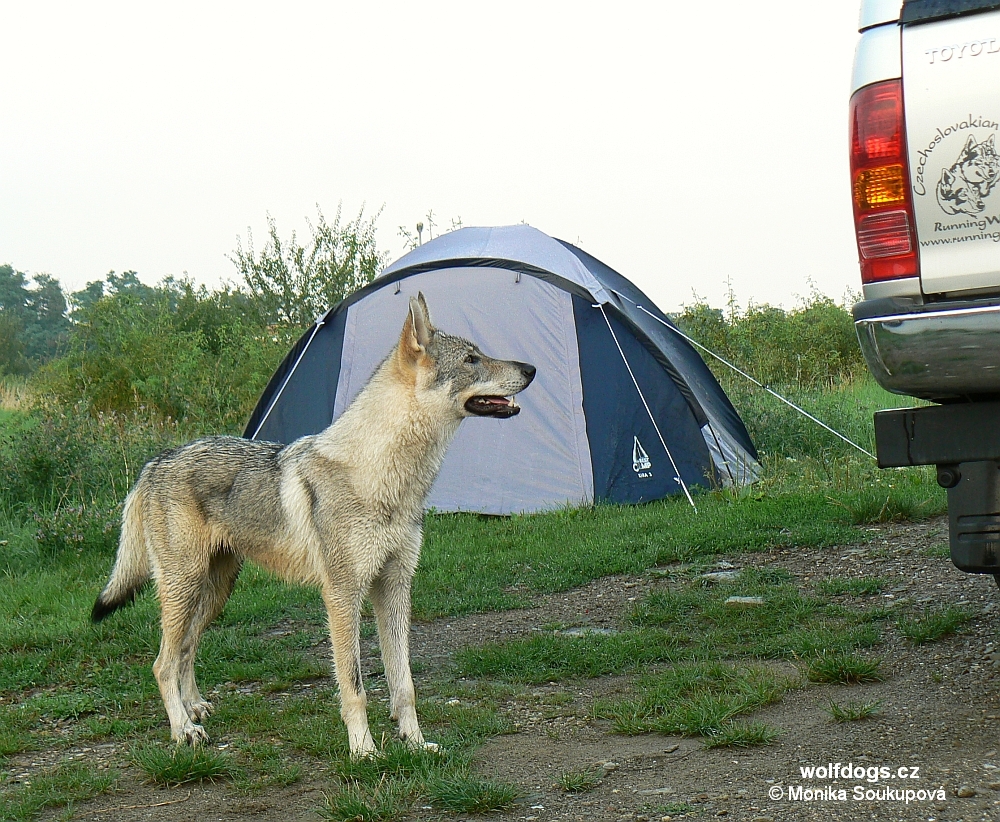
{"x":476,"y":385}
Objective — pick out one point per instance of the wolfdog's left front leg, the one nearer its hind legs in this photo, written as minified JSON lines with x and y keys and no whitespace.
{"x":343,"y":607}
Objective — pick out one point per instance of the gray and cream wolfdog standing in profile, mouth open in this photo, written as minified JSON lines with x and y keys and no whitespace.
{"x":342,"y":510}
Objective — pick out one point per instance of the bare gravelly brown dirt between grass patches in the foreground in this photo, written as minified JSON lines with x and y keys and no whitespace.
{"x":939,"y":719}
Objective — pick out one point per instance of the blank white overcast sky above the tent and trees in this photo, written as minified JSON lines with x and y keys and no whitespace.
{"x":680,"y":143}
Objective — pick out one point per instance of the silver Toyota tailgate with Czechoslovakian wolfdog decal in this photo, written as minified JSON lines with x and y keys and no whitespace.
{"x":951,"y":96}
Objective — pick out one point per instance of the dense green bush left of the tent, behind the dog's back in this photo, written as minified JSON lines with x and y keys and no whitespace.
{"x":182,"y":354}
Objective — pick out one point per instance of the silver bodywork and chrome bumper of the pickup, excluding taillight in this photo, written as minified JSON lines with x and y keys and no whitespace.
{"x":937,"y":336}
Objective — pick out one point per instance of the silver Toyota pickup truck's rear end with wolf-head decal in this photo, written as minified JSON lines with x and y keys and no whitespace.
{"x":925,"y":176}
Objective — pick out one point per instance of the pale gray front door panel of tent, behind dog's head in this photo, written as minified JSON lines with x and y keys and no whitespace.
{"x":543,"y":454}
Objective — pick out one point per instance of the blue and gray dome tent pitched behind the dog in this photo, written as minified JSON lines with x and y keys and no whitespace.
{"x":622,"y":409}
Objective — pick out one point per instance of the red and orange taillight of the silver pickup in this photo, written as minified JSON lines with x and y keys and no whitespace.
{"x":880,"y":179}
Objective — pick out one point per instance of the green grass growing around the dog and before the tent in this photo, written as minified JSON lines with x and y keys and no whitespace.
{"x":65,"y":682}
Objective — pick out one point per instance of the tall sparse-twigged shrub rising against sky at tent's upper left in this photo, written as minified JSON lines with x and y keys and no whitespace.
{"x":292,"y":284}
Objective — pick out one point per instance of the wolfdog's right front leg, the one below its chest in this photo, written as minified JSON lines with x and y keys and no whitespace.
{"x":390,"y":596}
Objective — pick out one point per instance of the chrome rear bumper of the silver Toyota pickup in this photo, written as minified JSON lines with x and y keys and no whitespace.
{"x":935,"y":351}
